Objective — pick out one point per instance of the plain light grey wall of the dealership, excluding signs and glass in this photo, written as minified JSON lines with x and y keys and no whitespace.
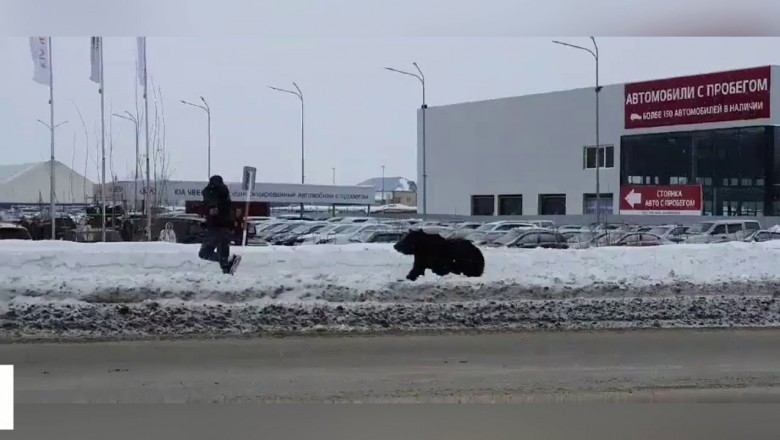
{"x":530,"y":145}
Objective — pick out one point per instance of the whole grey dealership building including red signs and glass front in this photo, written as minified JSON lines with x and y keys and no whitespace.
{"x":704,"y":144}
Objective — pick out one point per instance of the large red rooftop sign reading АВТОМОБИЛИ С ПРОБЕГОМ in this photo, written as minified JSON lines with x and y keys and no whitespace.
{"x":716,"y":97}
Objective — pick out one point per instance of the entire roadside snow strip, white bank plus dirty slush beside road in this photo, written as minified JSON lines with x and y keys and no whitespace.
{"x":119,"y":290}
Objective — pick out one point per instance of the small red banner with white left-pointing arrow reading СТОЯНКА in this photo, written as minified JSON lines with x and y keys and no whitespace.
{"x":661,"y":200}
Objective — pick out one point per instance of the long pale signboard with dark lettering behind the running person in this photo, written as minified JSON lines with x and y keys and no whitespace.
{"x":182,"y":191}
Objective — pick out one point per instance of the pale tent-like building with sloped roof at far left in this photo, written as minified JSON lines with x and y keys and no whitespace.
{"x":30,"y":183}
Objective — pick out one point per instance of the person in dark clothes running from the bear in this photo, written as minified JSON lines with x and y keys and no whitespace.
{"x":219,"y":226}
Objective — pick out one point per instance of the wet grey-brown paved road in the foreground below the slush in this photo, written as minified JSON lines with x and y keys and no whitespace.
{"x":669,"y":365}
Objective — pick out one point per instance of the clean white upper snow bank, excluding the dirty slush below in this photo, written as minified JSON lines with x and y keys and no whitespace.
{"x":132,"y":272}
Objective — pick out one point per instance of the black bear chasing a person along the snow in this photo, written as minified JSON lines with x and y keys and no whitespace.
{"x":442,"y":256}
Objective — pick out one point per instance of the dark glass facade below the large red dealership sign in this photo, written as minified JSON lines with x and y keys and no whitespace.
{"x":736,"y":166}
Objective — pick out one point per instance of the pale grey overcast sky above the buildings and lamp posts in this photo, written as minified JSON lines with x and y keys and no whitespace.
{"x":358,"y":116}
